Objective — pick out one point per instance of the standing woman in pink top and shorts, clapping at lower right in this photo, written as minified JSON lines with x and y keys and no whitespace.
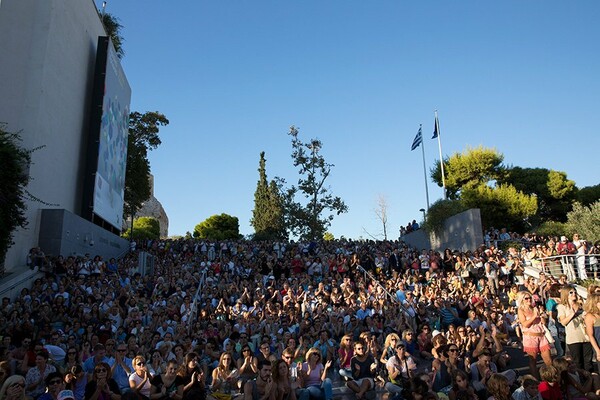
{"x":534,"y":333}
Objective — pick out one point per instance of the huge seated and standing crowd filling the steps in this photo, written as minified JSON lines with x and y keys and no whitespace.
{"x":287,"y":321}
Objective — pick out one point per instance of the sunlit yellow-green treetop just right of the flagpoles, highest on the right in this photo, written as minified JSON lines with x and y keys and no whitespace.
{"x":467,"y":170}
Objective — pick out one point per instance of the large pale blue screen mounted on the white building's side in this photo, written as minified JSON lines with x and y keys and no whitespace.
{"x":109,"y":182}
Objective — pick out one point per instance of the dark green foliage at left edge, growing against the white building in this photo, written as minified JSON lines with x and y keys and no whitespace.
{"x":13,"y":180}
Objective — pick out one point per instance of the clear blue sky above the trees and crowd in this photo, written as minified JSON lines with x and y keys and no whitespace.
{"x":232,"y":76}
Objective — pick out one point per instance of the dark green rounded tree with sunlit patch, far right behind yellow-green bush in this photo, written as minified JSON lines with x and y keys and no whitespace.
{"x":555,"y":193}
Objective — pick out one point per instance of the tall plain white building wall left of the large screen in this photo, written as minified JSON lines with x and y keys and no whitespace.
{"x":46,"y":76}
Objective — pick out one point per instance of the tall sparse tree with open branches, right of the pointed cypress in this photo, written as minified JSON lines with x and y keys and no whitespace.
{"x":310,"y":217}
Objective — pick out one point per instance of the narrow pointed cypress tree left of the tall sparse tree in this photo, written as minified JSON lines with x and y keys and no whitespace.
{"x":267,"y":216}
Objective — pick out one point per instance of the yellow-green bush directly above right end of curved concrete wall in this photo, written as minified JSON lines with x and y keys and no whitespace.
{"x":501,"y":206}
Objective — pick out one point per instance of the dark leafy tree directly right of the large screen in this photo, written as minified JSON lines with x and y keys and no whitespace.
{"x":143,"y":136}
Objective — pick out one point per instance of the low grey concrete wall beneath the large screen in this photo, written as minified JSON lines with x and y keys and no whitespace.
{"x":62,"y":232}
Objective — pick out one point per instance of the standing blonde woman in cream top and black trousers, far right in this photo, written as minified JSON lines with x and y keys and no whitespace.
{"x":570,"y":315}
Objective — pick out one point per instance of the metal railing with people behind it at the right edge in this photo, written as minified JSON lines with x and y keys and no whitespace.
{"x":574,"y":266}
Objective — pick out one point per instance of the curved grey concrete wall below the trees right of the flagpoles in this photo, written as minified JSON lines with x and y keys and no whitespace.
{"x":461,"y":232}
